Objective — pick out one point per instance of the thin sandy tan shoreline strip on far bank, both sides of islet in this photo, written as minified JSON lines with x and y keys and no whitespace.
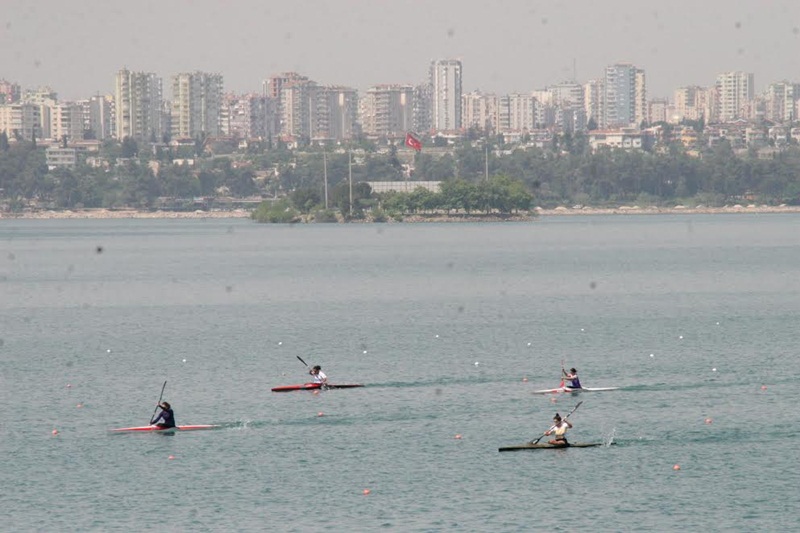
{"x":539,"y":212}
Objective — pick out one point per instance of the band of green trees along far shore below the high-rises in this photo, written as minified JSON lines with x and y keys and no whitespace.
{"x":565,"y":172}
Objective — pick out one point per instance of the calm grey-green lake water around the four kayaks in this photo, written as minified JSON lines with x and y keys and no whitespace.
{"x":690,"y":315}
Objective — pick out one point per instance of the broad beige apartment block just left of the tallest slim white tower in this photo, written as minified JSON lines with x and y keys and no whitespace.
{"x":388,"y":110}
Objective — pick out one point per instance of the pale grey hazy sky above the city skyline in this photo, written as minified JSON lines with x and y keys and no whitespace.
{"x":76,"y":46}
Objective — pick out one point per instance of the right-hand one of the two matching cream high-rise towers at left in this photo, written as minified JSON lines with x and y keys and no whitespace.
{"x":196,"y":105}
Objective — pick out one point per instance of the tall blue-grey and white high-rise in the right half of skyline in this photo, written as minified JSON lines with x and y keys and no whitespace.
{"x":625,"y":96}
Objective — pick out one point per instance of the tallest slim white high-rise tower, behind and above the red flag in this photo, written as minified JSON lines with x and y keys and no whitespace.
{"x":445,"y":82}
